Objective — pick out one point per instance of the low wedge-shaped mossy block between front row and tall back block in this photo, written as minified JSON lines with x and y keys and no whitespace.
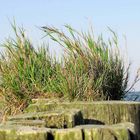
{"x":49,"y":119}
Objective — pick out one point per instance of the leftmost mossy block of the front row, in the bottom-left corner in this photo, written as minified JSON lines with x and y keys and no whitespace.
{"x":12,"y":132}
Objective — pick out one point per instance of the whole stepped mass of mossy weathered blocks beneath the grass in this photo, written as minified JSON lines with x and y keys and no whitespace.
{"x":57,"y":120}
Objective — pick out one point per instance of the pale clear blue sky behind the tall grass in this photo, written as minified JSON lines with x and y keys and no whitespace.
{"x":123,"y":16}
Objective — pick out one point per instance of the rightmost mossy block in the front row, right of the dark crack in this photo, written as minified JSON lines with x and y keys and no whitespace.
{"x":123,"y":131}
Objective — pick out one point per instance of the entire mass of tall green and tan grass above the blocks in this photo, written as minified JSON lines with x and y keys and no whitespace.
{"x":90,"y":69}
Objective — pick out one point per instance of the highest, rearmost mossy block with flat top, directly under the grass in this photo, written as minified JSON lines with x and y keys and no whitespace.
{"x":97,"y":112}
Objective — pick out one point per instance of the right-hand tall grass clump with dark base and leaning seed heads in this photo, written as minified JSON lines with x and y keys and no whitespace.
{"x":94,"y":70}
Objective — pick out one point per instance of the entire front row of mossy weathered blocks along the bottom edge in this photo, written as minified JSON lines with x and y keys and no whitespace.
{"x":123,"y":131}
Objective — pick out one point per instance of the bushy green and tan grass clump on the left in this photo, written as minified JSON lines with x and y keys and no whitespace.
{"x":26,"y":72}
